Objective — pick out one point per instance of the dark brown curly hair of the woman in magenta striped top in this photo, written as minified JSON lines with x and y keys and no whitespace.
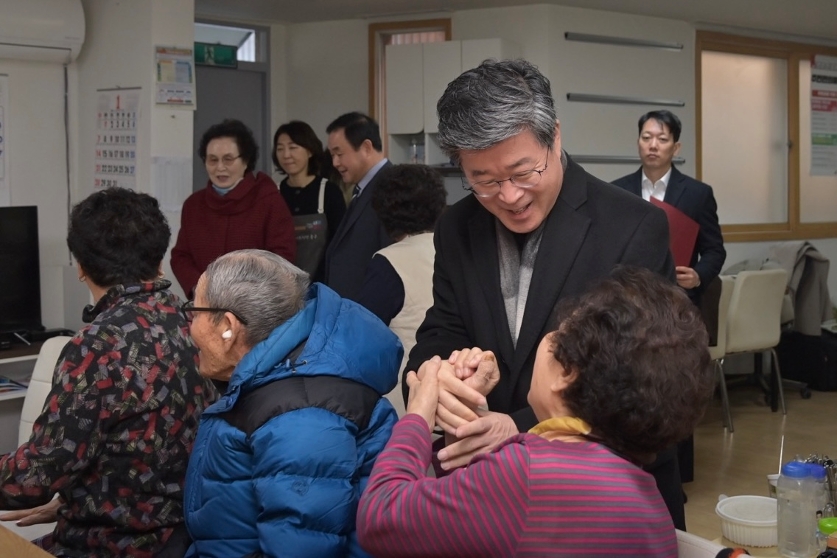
{"x":639,"y":349}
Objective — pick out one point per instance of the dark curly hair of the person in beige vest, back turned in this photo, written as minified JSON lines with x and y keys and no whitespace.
{"x":408,"y":199}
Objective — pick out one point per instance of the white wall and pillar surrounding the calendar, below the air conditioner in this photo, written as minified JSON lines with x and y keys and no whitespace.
{"x":118,"y":52}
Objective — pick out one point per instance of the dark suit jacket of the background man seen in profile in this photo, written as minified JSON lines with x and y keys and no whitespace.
{"x":358,"y":237}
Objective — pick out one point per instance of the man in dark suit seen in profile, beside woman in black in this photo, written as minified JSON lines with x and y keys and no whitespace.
{"x":354,"y":142}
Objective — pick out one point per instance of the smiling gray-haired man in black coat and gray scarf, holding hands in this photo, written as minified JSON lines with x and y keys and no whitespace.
{"x":538,"y":229}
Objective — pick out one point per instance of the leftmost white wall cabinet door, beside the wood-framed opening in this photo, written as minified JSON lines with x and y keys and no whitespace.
{"x":404,"y":89}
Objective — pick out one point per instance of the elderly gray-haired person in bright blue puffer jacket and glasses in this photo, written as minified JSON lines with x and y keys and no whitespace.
{"x":281,"y":459}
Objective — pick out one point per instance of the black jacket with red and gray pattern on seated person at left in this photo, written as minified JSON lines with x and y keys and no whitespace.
{"x":117,"y":429}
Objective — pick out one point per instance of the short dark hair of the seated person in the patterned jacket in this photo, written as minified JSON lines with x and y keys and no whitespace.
{"x":118,"y":236}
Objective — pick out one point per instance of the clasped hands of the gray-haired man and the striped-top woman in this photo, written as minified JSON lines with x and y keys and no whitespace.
{"x":451,"y":394}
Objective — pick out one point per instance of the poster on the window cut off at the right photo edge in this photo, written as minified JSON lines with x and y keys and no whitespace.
{"x":824,"y":116}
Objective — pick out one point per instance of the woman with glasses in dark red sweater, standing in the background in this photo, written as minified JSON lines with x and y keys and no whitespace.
{"x":238,"y":209}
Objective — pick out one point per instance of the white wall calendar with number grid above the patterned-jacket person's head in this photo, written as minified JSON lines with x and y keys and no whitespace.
{"x":117,"y":113}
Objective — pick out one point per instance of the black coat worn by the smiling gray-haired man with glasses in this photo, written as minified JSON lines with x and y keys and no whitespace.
{"x":592,"y":227}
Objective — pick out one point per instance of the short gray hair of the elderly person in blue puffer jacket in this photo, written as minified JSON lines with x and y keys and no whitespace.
{"x":259,"y":286}
